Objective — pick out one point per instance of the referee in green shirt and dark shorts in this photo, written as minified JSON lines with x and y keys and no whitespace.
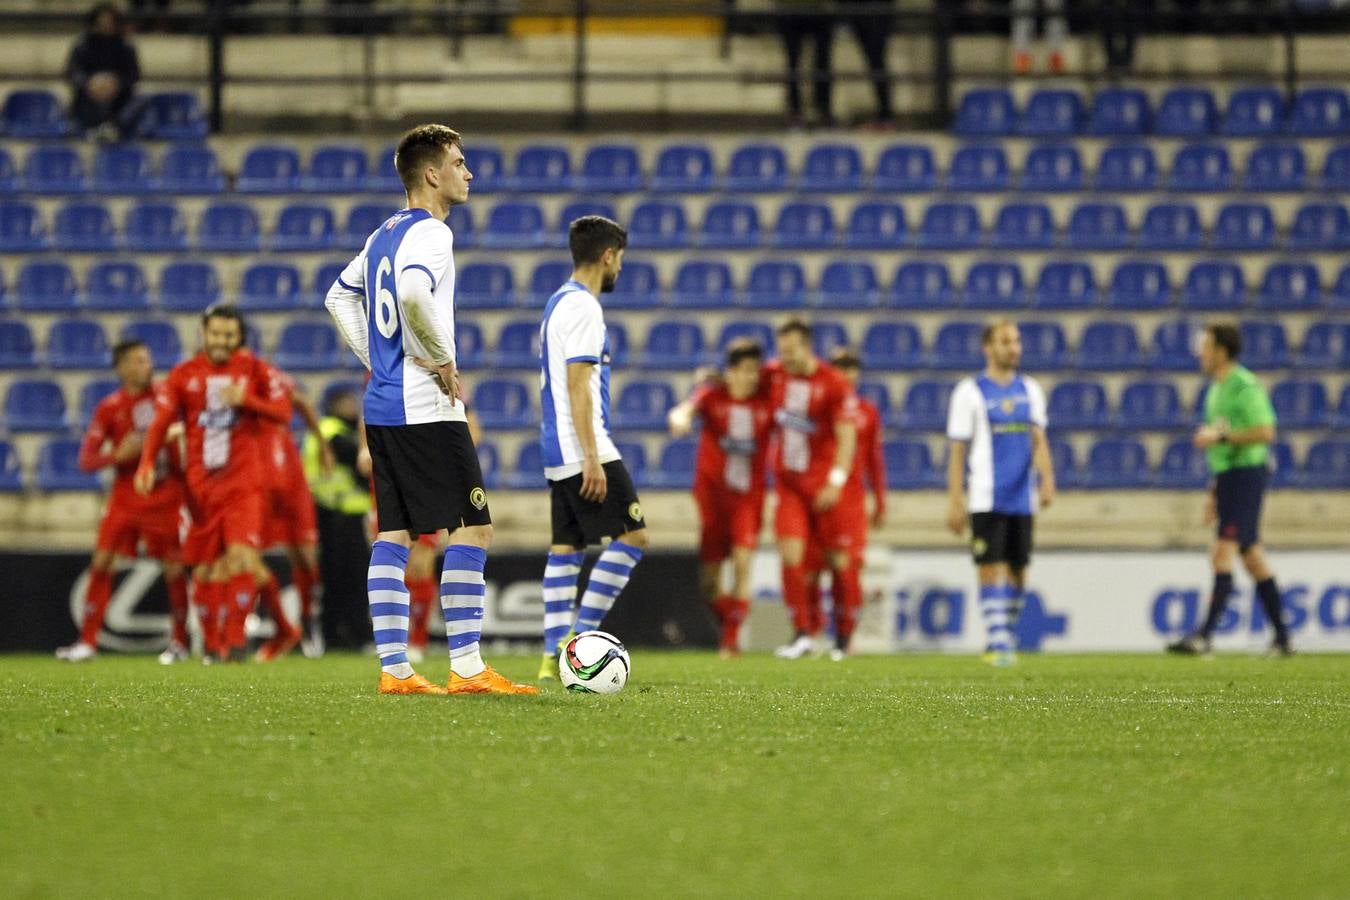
{"x":1237,"y":434}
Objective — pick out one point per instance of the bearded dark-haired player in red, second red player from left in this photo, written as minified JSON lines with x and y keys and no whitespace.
{"x":222,"y":395}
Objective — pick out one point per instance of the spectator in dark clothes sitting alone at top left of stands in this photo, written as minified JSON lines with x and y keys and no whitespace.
{"x":103,"y":72}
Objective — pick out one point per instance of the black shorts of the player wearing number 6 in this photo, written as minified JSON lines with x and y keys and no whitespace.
{"x":427,"y":478}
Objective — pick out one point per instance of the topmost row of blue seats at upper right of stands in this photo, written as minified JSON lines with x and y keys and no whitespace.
{"x":1182,"y":113}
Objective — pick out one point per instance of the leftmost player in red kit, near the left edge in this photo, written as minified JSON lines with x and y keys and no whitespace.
{"x":115,"y":438}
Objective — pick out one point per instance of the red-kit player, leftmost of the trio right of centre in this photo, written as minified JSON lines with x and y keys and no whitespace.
{"x":730,"y":480}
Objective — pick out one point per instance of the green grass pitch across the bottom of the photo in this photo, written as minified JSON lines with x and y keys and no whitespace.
{"x":886,"y":777}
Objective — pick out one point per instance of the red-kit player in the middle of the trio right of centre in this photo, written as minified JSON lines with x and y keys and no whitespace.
{"x":816,"y":411}
